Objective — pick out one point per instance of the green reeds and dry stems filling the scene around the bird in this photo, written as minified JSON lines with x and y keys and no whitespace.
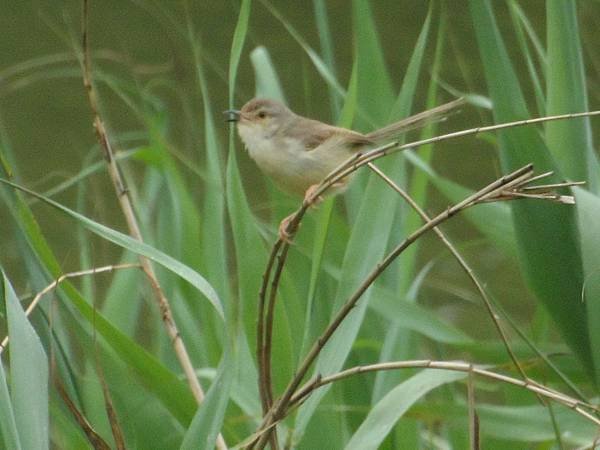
{"x":450,"y":298}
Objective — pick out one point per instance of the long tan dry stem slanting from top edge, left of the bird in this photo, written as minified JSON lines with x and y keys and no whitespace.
{"x":134,"y":230}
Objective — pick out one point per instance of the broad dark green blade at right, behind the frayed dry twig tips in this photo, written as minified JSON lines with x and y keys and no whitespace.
{"x":547,"y":234}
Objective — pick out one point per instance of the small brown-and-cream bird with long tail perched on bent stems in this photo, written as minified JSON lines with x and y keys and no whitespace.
{"x":297,"y":152}
